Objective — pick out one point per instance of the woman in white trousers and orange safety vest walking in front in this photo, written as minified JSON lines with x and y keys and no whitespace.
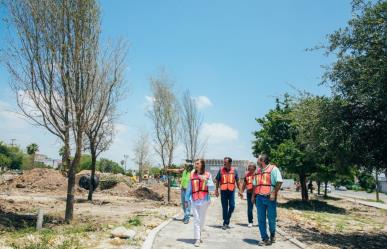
{"x":197,"y":193}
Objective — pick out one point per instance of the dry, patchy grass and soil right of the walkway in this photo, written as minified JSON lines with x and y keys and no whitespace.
{"x":332,"y":222}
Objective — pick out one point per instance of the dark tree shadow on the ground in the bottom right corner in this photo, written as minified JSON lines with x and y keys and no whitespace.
{"x":375,"y":240}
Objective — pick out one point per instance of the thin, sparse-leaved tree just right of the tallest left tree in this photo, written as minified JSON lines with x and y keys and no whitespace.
{"x":100,"y":130}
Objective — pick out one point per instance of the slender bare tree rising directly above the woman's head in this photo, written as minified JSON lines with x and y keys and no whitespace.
{"x":191,"y":123}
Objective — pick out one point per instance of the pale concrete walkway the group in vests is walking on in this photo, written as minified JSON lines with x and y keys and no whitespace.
{"x":178,"y":235}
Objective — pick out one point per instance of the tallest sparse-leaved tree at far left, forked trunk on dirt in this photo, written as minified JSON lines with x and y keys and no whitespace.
{"x":54,"y":69}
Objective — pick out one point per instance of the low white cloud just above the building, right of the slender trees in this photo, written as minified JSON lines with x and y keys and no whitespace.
{"x":219,"y":132}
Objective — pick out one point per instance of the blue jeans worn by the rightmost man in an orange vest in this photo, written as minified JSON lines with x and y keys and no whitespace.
{"x":266,"y":208}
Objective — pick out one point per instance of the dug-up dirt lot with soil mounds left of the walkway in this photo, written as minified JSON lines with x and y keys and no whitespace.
{"x":118,"y":202}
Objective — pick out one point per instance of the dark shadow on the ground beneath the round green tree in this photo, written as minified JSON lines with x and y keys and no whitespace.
{"x":312,"y":205}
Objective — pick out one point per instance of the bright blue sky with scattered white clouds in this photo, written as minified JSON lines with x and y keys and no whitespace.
{"x":237,"y":55}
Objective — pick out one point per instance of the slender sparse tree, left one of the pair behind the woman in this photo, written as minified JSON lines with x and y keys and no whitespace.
{"x":164,"y":114}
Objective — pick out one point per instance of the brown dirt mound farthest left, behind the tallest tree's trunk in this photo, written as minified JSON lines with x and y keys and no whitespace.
{"x":40,"y":180}
